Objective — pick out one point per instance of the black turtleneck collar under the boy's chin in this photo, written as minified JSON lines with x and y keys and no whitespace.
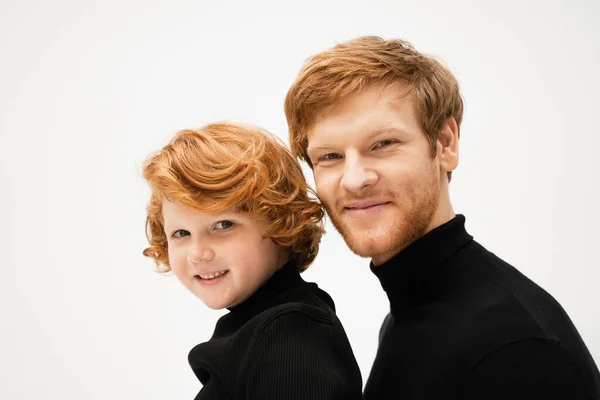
{"x":284,"y":279}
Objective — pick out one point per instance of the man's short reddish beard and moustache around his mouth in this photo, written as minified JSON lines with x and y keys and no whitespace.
{"x":406,"y":226}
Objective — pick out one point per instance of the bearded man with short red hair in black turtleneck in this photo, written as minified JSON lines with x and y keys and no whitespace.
{"x":378,"y":123}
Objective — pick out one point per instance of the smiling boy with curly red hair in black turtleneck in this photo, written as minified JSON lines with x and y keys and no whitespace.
{"x":230,"y":215}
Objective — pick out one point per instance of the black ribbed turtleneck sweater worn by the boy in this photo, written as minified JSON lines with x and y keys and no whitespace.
{"x":284,"y":342}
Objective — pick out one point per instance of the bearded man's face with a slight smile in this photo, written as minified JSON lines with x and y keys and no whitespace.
{"x":374,"y":171}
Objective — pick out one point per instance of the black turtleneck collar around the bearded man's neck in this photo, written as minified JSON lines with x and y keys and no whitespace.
{"x":404,"y":274}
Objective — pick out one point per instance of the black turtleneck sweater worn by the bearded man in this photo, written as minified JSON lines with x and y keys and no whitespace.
{"x":466,"y":325}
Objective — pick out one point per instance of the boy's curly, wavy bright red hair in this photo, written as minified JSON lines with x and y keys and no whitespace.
{"x":225,"y":165}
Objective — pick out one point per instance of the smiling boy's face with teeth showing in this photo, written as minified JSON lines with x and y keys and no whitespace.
{"x":221,"y":258}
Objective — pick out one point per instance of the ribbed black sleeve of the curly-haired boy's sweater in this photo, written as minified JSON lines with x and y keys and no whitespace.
{"x":302,"y":349}
